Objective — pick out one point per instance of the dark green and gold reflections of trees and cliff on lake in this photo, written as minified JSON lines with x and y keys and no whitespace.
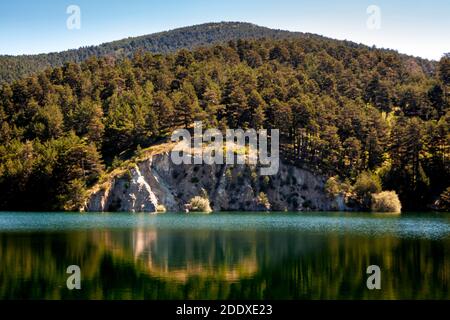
{"x":175,"y":264}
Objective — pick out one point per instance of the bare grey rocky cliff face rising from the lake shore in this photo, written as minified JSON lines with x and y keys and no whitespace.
{"x":155,"y":180}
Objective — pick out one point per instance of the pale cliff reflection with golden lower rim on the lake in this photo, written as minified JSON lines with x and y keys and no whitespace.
{"x":180,"y":255}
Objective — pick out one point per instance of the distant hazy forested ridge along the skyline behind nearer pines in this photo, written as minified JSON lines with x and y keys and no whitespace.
{"x":15,"y":67}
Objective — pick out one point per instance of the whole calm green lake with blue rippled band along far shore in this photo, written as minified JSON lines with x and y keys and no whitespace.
{"x":224,"y":255}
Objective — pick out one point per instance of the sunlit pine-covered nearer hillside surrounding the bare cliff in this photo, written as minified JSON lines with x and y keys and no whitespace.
{"x":344,"y":111}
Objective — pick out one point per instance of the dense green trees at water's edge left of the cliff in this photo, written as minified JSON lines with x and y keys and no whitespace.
{"x":47,"y":176}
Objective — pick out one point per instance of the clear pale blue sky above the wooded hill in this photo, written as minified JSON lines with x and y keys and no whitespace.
{"x":420,"y":28}
